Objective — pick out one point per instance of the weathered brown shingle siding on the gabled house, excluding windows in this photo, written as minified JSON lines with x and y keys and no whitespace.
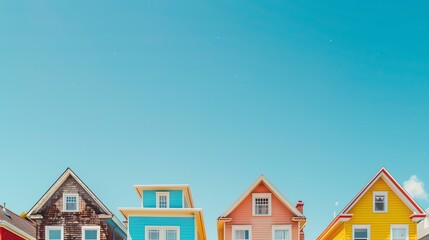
{"x":73,"y":221}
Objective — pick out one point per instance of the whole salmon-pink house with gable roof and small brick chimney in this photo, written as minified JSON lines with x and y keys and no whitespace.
{"x":262,"y":213}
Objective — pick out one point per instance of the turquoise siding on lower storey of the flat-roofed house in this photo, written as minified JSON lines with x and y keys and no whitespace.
{"x":137,"y":226}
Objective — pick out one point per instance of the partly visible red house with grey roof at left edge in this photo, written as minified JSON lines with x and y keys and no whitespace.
{"x":14,"y":227}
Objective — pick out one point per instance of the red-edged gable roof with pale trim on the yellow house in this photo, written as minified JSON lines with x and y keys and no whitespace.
{"x":345,"y":215}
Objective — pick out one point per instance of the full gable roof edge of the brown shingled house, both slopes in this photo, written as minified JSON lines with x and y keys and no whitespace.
{"x":57,"y":184}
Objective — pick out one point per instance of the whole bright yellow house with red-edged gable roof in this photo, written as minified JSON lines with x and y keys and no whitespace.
{"x":382,"y":210}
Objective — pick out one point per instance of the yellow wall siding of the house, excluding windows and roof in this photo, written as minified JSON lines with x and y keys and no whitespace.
{"x":398,"y":213}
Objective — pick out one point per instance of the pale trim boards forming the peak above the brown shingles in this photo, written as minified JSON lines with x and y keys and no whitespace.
{"x":68,"y":172}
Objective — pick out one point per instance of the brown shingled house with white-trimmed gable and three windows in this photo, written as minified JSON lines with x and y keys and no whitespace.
{"x":70,"y":210}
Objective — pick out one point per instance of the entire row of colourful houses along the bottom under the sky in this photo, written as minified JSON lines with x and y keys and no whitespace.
{"x":70,"y":210}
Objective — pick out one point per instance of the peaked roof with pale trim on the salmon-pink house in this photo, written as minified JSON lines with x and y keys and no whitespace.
{"x":270,"y":186}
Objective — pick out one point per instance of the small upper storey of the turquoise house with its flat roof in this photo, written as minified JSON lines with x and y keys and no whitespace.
{"x":165,"y":196}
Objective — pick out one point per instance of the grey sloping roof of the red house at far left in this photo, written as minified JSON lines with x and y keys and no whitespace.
{"x":17,"y":224}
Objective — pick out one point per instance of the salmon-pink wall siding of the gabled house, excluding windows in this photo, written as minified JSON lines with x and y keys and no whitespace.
{"x":261,"y":225}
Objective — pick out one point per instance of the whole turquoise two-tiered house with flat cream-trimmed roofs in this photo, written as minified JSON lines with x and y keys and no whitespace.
{"x":167,"y":212}
